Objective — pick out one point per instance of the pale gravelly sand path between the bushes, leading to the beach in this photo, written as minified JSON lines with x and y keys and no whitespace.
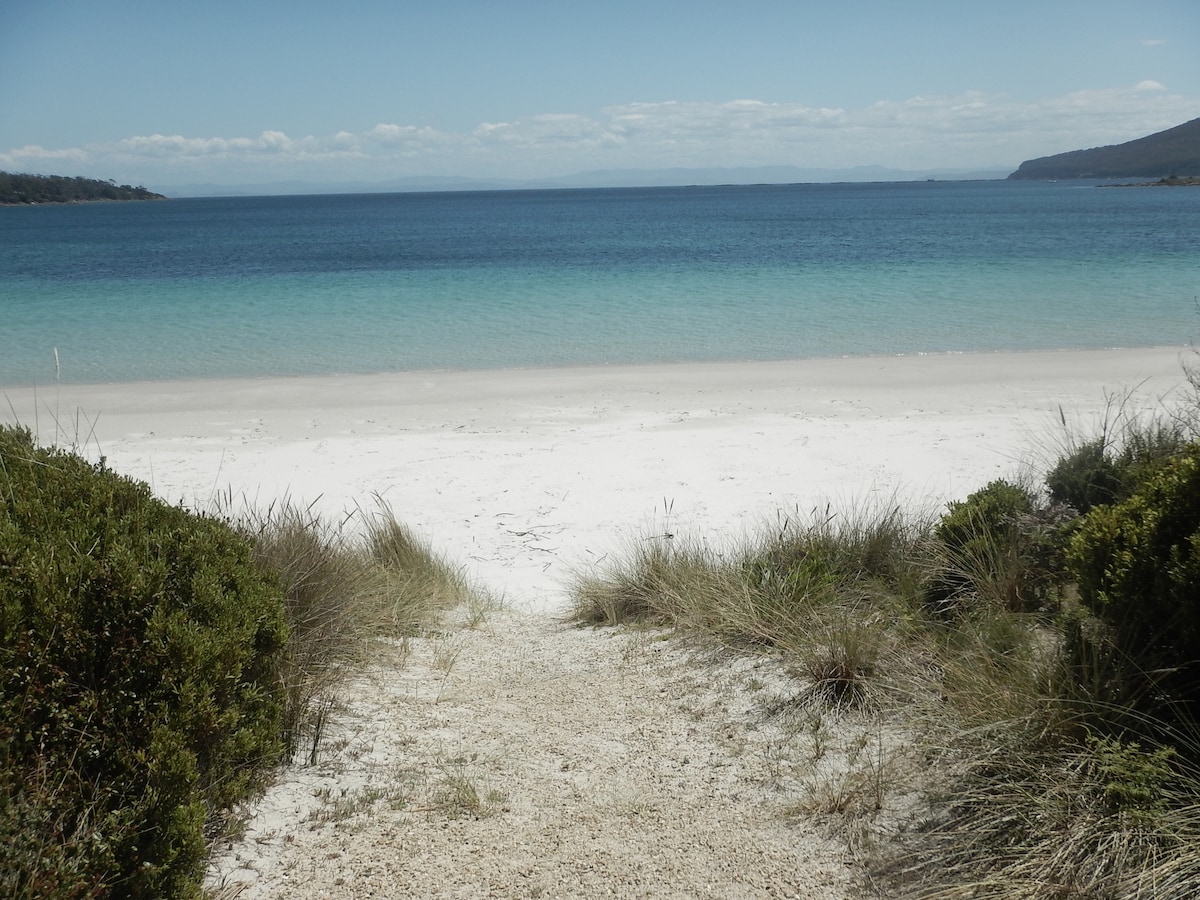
{"x":527,"y":759}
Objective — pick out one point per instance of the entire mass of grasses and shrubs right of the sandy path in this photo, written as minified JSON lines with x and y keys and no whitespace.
{"x":1035,"y":651}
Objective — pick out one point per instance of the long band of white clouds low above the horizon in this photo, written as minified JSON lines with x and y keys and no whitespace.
{"x":965,"y":131}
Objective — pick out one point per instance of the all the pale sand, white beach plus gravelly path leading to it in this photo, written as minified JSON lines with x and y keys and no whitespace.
{"x":525,"y":758}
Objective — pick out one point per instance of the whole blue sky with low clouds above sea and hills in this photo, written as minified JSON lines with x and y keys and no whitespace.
{"x":166,"y":93}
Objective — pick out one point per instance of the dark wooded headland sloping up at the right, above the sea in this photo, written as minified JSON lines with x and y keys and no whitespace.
{"x":1175,"y":152}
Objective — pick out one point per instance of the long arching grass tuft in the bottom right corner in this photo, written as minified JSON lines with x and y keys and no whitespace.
{"x":1099,"y":818}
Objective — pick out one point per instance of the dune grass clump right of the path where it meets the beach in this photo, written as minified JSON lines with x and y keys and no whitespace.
{"x":823,"y":591}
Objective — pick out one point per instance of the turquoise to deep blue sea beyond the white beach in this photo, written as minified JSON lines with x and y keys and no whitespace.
{"x":358,"y":284}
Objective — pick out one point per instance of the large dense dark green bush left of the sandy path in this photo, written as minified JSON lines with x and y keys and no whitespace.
{"x":140,"y":649}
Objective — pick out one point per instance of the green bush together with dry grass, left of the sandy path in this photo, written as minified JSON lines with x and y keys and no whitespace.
{"x":155,"y":664}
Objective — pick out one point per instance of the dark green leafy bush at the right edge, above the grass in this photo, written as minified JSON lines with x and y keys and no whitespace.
{"x":1138,"y":568}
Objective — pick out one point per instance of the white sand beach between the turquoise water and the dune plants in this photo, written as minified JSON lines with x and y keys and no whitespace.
{"x":525,"y":476}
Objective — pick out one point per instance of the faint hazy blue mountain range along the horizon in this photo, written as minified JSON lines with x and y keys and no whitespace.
{"x":599,"y":178}
